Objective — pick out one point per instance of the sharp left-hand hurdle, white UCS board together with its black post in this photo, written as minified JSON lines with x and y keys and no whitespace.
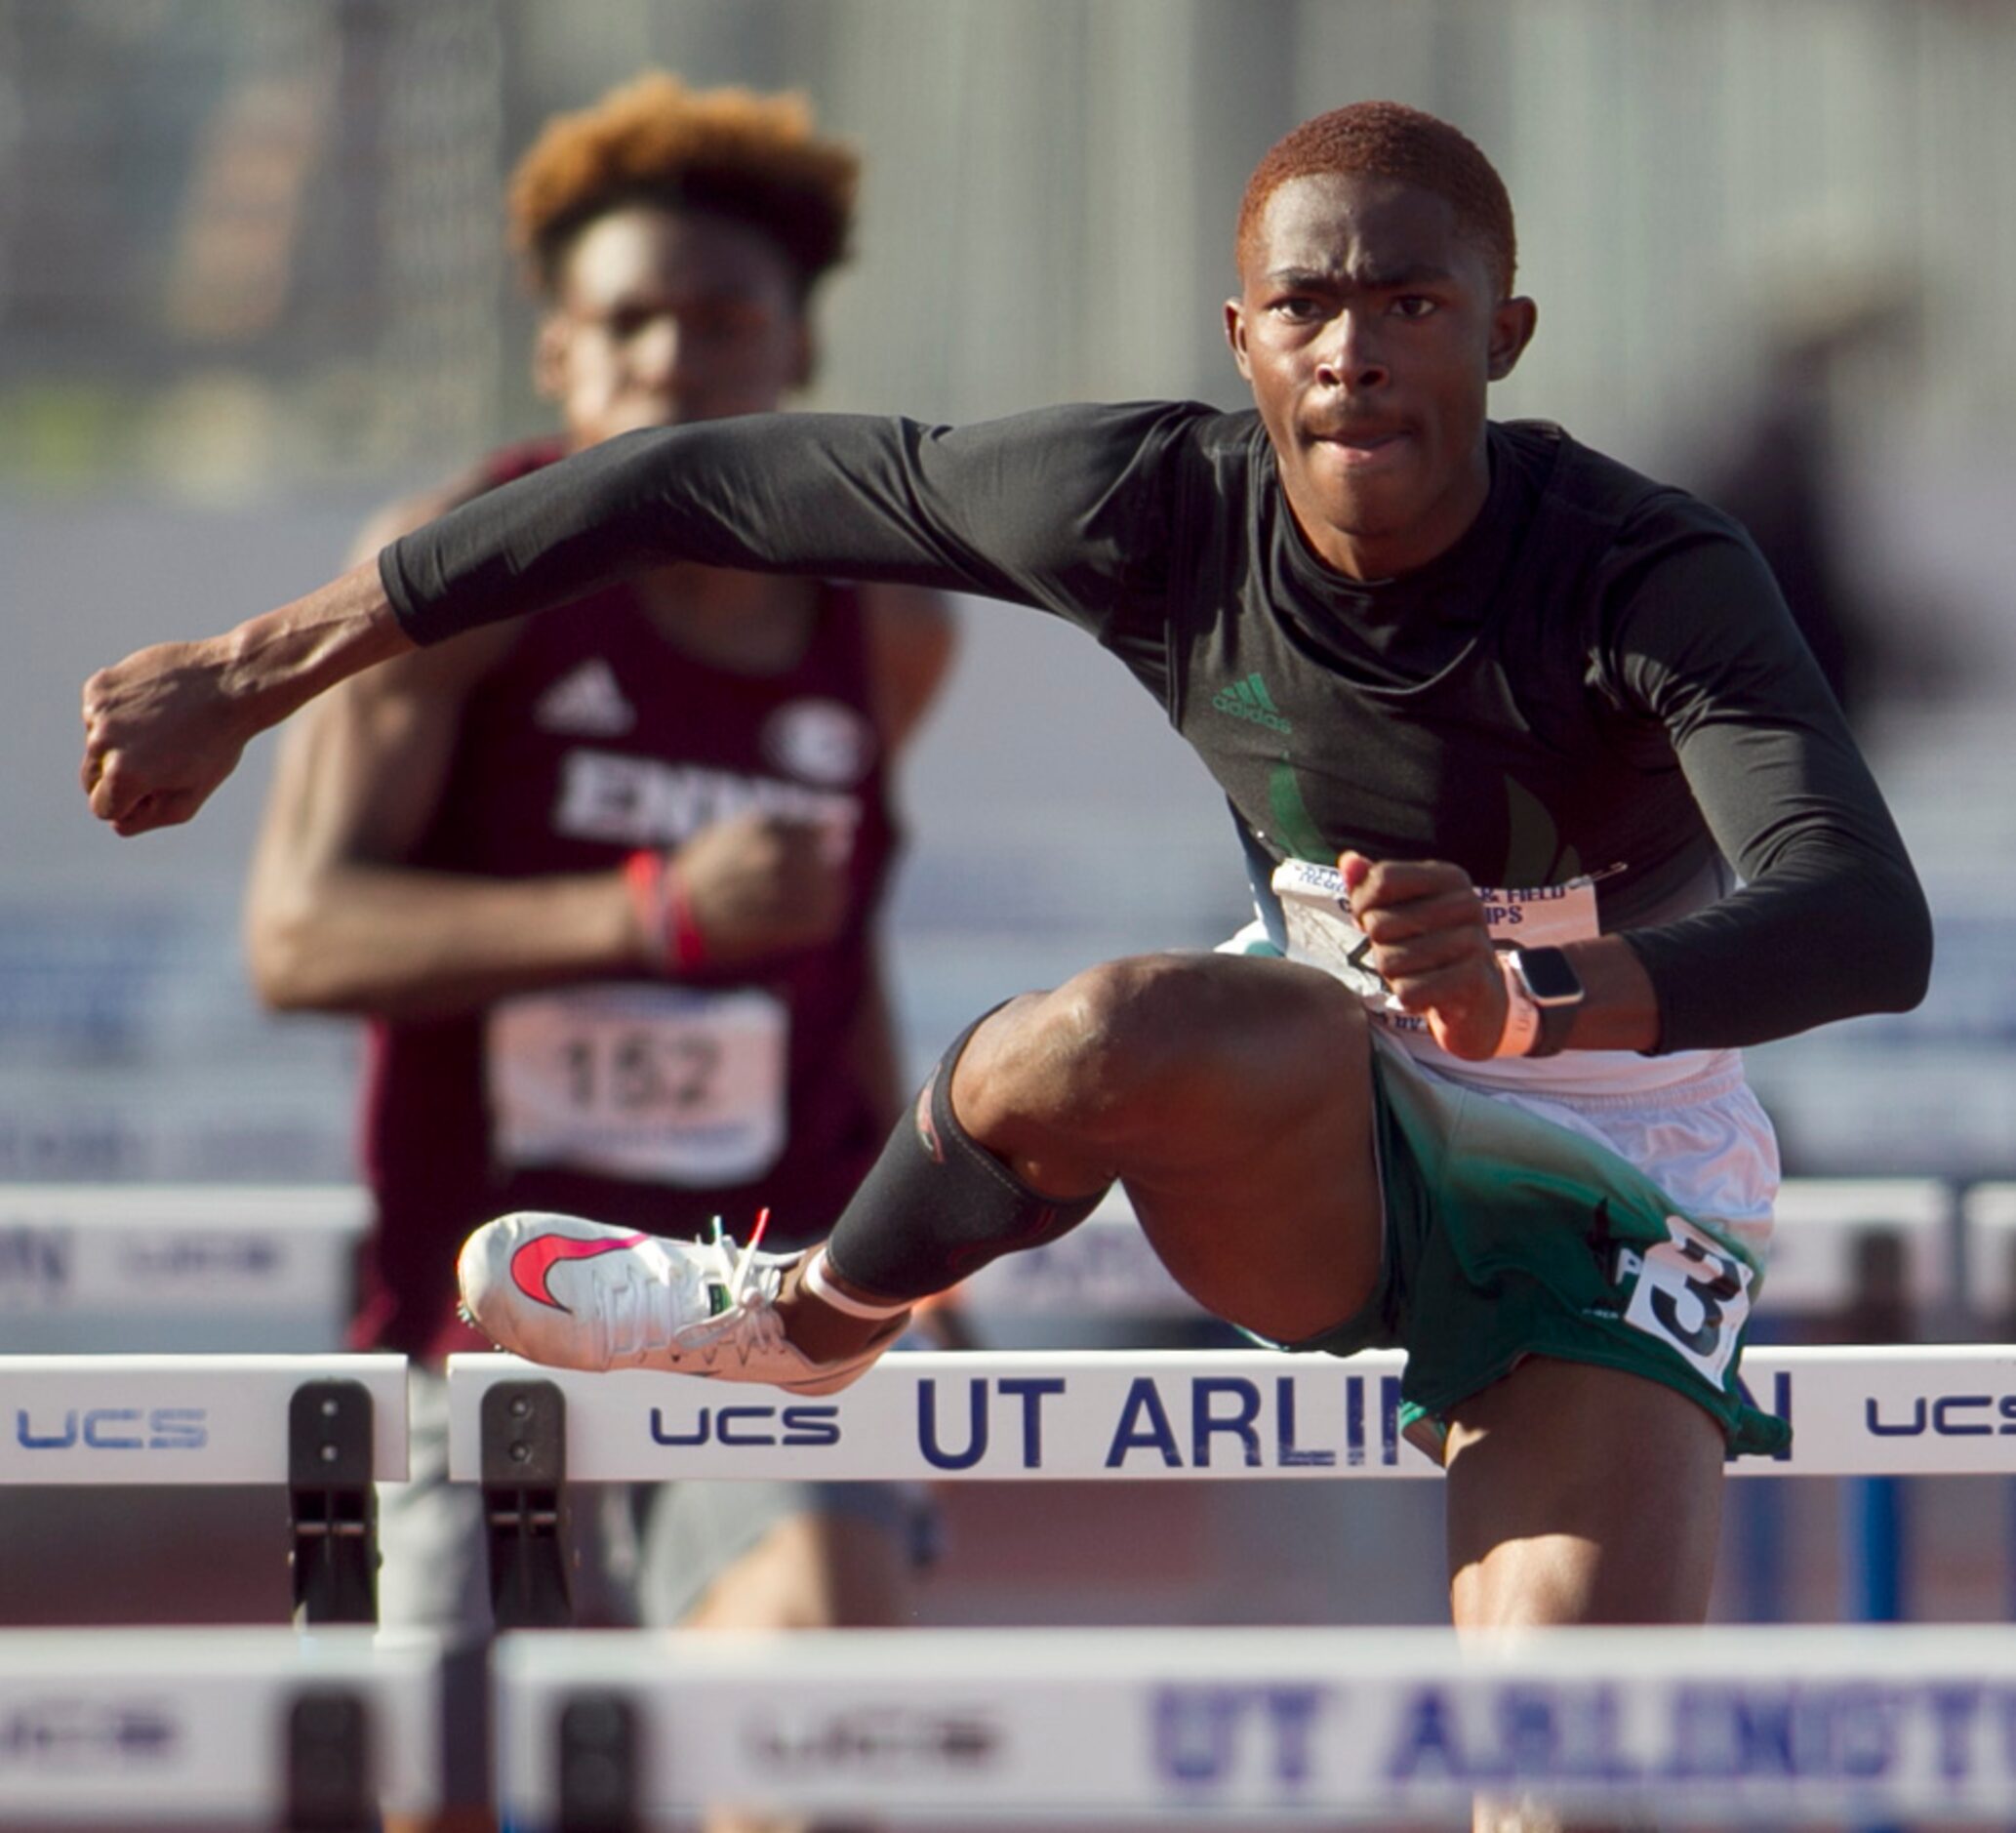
{"x":328,"y":1427}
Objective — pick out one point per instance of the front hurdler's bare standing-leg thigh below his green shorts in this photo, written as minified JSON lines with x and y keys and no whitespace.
{"x":1582,"y":1495}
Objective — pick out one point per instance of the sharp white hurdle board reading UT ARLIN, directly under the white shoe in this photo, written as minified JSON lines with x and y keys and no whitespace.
{"x":1936,"y":1411}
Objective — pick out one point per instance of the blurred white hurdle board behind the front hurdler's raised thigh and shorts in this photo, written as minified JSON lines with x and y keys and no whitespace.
{"x":1108,"y":1269}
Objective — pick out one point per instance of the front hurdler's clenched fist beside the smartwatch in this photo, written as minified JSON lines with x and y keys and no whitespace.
{"x":1430,"y":945}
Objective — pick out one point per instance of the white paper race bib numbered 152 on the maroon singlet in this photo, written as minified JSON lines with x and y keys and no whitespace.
{"x":654,"y":1084}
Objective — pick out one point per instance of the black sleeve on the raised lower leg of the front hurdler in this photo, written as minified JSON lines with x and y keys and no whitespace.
{"x":938,"y":1205}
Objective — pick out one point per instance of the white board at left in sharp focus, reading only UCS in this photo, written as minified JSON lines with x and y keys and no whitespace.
{"x":178,"y":1419}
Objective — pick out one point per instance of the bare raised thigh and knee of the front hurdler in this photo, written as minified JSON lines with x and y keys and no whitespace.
{"x":1231,"y":1096}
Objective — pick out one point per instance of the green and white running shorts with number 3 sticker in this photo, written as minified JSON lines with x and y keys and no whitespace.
{"x":1511,"y":1235}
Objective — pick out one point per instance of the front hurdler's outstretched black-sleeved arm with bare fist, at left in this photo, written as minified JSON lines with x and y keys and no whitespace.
{"x":1059,"y":509}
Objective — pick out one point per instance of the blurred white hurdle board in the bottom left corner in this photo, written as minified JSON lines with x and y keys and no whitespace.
{"x":191,"y":1727}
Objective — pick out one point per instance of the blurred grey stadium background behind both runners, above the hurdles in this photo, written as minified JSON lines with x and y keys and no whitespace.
{"x":253,"y":283}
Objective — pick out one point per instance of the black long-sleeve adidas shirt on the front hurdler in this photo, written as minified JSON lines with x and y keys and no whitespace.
{"x":1598,"y":679}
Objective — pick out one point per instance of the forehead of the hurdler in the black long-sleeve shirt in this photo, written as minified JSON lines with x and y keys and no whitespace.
{"x":1364,"y":231}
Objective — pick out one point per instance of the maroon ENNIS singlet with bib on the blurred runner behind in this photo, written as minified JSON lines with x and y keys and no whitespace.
{"x":592,"y":739}
